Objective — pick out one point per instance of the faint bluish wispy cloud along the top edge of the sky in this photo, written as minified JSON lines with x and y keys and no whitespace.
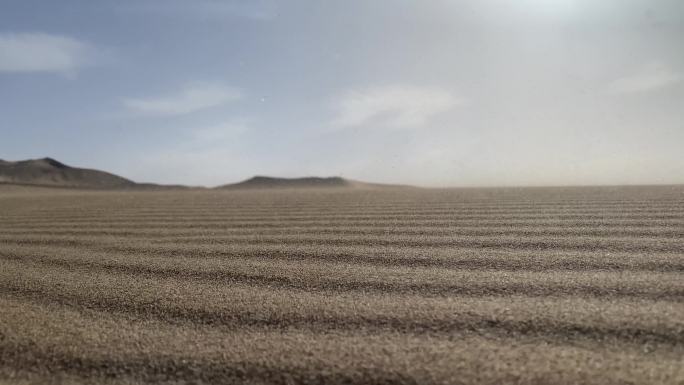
{"x":250,"y":9}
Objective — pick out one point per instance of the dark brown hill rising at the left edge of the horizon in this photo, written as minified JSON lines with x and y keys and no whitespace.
{"x":49,"y":172}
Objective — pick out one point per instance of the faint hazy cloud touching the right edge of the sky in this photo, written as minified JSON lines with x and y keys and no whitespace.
{"x":653,"y":77}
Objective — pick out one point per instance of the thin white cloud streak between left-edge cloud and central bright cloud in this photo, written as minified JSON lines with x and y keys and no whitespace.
{"x":190,"y":99}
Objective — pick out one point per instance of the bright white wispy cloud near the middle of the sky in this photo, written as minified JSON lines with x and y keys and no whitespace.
{"x":397,"y":106}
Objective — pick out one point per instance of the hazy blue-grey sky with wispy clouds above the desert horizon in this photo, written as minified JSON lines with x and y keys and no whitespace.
{"x":431,"y":93}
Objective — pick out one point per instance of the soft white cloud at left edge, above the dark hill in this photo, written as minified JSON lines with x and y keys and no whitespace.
{"x":40,"y":52}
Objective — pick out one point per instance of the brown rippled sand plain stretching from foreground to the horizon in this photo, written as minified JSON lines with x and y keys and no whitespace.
{"x":339,"y":286}
